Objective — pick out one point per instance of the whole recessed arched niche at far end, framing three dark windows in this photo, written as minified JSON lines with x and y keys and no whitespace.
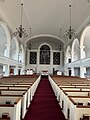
{"x":54,"y":47}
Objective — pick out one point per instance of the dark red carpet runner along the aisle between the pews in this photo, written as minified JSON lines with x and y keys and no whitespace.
{"x":44,"y":105}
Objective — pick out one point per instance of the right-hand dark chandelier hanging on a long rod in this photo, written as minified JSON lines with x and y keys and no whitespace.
{"x":70,"y":33}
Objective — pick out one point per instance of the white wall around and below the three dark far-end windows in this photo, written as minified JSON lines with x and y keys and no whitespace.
{"x":38,"y":67}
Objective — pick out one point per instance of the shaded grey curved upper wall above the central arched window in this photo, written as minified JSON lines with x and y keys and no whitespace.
{"x":35,"y":42}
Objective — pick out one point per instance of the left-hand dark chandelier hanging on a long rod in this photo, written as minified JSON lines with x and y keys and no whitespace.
{"x":21,"y":32}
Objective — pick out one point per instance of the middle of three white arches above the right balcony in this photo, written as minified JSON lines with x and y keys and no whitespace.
{"x":75,"y":50}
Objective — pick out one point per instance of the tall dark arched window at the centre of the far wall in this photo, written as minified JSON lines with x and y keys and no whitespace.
{"x":45,"y":54}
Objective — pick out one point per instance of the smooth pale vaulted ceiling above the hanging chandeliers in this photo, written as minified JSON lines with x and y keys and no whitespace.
{"x":44,"y":17}
